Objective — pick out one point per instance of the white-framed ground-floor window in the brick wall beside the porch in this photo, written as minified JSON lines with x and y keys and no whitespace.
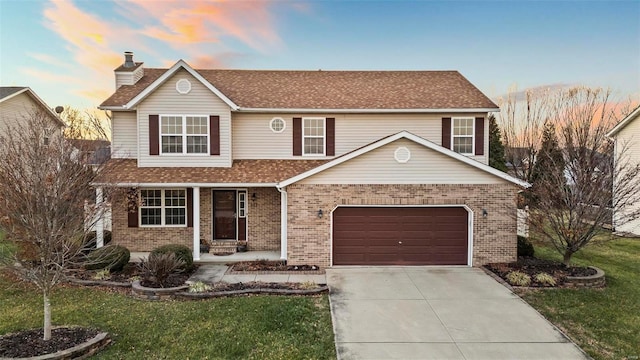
{"x":163,"y":207}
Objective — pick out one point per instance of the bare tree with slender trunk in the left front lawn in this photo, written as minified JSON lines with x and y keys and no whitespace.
{"x":43,"y":190}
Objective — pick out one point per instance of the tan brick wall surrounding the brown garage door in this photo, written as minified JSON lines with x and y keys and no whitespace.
{"x":309,"y":237}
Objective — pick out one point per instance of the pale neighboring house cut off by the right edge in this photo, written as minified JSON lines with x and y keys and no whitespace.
{"x":627,"y":148}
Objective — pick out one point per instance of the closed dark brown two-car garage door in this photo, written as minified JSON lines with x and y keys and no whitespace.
{"x":400,"y":236}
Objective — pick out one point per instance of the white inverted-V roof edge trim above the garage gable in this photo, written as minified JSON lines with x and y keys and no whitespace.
{"x":406,"y":135}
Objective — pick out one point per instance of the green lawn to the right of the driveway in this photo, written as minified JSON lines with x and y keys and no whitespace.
{"x":603,"y":322}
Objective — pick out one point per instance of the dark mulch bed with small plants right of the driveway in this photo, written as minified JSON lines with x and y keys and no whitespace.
{"x":532,"y":266}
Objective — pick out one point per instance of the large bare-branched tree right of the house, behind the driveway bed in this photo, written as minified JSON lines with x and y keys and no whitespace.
{"x":573,"y":205}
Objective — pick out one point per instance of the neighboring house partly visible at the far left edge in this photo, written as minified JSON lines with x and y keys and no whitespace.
{"x":18,"y":104}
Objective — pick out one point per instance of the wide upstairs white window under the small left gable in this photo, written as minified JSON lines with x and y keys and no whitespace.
{"x":184,"y":134}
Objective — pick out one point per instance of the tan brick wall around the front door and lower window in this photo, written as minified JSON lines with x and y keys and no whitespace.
{"x":263,"y":222}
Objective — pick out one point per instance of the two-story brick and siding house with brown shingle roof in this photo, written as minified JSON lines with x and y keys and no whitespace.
{"x":327,"y":167}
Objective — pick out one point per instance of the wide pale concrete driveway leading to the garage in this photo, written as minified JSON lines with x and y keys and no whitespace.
{"x":436,"y":313}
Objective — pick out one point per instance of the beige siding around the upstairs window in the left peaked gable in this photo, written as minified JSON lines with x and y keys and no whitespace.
{"x":165,"y":100}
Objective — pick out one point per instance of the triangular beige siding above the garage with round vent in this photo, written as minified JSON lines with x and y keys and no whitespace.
{"x":425,"y":166}
